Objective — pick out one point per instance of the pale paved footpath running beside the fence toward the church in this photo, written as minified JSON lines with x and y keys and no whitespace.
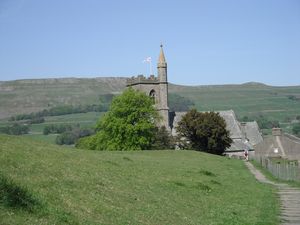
{"x":289,"y":197}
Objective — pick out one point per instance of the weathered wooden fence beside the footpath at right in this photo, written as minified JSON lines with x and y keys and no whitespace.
{"x":281,"y":168}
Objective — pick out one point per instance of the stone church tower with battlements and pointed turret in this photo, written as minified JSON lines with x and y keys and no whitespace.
{"x":155,"y":87}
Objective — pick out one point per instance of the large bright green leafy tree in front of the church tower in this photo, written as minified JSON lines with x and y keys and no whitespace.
{"x":128,"y":125}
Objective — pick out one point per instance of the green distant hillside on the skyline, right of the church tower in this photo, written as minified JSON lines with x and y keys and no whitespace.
{"x":246,"y":100}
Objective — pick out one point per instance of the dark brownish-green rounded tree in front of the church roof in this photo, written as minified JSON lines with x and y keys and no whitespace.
{"x":204,"y":132}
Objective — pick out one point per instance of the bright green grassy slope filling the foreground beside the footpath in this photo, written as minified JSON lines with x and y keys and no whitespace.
{"x":145,"y":187}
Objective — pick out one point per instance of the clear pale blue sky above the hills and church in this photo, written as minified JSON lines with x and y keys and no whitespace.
{"x":205,"y":41}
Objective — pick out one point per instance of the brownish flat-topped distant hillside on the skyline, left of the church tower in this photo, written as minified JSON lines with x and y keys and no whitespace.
{"x":25,"y":96}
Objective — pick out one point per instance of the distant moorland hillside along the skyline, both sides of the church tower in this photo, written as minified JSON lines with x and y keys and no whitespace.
{"x":249,"y":99}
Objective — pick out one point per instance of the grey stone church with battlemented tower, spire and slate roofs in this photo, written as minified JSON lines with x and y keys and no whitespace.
{"x":245,"y":135}
